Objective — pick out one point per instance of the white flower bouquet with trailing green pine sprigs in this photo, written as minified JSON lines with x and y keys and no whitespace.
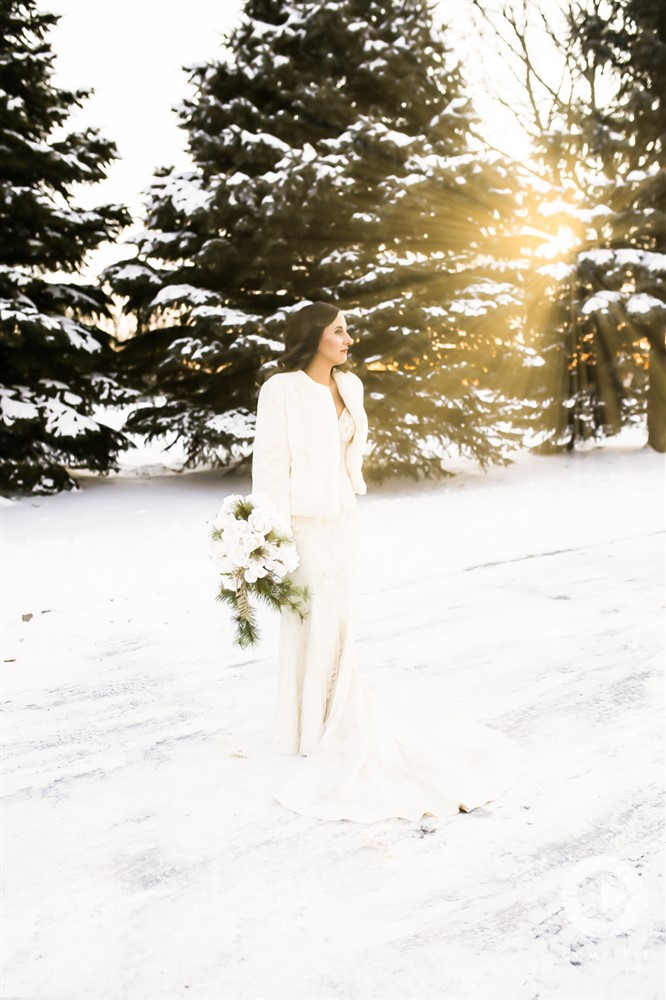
{"x":255,"y":553}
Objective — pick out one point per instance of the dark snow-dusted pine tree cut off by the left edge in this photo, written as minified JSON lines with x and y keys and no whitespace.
{"x":53,"y":354}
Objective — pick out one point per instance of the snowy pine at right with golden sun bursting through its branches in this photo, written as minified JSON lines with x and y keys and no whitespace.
{"x":597,"y":308}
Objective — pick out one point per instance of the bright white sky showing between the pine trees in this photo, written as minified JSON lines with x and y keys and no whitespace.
{"x":132,"y":53}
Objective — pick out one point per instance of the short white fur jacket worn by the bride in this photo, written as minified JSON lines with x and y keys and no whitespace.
{"x":296,"y":456}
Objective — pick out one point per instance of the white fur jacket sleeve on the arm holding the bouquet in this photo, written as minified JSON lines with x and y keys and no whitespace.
{"x":271,"y":455}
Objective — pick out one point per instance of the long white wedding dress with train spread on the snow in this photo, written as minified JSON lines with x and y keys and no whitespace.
{"x":356,"y":762}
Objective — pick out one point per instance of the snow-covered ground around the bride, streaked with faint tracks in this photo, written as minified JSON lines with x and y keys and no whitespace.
{"x":143,"y":853}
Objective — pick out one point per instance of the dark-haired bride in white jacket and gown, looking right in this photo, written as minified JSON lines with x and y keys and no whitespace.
{"x":360,"y":763}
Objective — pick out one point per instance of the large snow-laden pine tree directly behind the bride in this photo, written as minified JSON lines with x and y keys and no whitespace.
{"x":331,"y":160}
